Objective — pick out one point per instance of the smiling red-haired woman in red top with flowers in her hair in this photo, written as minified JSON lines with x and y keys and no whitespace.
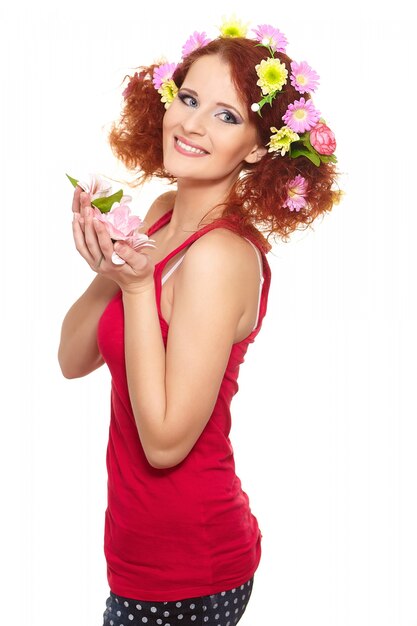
{"x":173,"y":323}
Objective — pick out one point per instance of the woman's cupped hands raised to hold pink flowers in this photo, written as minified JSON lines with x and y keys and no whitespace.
{"x":95,"y":245}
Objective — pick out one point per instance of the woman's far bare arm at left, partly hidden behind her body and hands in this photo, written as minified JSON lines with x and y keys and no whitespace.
{"x":78,"y":352}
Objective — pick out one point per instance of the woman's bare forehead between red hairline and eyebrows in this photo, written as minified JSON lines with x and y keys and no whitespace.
{"x":211,"y":75}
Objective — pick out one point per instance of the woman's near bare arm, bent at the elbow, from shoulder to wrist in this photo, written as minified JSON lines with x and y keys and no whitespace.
{"x":173,"y":393}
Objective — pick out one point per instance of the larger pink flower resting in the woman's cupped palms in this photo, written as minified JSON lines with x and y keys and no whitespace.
{"x":122,"y":226}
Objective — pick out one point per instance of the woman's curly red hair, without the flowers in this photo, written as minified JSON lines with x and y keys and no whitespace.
{"x":256,"y":200}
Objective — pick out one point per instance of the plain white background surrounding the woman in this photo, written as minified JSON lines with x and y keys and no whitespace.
{"x":325,"y":431}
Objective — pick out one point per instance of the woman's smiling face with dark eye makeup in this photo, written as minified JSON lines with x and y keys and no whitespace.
{"x":207,"y":135}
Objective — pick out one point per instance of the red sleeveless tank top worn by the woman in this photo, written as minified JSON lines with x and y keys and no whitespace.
{"x":185,"y":531}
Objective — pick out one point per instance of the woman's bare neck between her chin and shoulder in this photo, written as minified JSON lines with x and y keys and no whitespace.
{"x":196,"y":200}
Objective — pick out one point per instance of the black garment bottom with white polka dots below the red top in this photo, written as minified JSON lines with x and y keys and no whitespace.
{"x":221,"y":609}
